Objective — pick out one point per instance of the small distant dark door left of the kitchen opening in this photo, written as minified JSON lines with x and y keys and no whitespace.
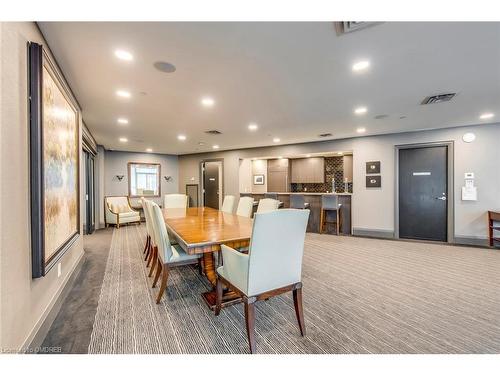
{"x":212,"y":188}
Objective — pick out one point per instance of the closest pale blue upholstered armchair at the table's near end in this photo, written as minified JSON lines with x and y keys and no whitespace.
{"x":272,"y":266}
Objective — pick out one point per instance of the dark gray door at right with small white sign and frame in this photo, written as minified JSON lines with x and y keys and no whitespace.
{"x":423,"y":186}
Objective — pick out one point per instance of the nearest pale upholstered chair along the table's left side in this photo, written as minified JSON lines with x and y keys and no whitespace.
{"x":166,"y":255}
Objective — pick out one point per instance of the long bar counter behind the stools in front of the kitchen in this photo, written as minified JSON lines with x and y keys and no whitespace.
{"x":314,"y":200}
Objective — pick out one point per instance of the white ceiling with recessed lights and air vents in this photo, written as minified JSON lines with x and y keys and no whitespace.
{"x":293,"y":79}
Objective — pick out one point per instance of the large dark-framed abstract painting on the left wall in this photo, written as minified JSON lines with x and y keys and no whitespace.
{"x":54,"y":163}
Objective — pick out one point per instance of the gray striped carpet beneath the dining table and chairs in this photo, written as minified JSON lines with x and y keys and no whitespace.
{"x":360,"y":296}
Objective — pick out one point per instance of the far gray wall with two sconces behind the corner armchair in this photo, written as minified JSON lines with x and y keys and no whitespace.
{"x":116,"y":163}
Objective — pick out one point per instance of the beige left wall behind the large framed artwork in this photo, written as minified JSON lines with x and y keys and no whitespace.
{"x":24,"y":302}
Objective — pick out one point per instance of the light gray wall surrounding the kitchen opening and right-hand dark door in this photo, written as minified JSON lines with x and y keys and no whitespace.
{"x":373,"y":209}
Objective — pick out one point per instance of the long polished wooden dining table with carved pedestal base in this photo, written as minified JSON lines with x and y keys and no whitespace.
{"x":202,"y":230}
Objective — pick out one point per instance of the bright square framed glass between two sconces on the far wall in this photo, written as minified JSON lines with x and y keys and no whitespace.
{"x":144,"y":180}
